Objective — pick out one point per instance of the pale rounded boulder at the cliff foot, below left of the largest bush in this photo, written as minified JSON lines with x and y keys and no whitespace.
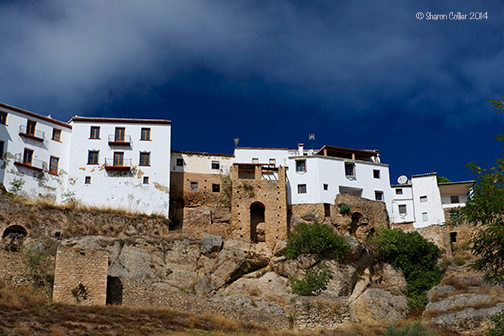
{"x":378,"y":304}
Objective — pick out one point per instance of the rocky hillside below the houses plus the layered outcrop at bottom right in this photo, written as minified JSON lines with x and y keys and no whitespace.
{"x":150,"y":266}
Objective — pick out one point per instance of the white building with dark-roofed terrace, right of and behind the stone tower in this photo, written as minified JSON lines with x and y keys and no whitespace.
{"x":318,"y":176}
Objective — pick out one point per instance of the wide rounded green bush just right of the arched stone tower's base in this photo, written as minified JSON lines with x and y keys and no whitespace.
{"x":318,"y":239}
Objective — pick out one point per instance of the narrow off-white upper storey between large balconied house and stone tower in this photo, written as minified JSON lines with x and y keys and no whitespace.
{"x":201,"y":163}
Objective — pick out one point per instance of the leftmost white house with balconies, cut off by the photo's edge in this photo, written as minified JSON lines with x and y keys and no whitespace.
{"x":34,"y":149}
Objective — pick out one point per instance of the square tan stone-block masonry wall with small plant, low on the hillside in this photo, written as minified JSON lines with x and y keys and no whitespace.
{"x":81,"y":276}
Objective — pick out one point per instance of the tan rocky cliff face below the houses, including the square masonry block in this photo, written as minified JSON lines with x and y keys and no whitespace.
{"x":150,"y":266}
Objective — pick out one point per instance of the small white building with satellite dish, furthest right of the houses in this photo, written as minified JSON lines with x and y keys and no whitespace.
{"x":423,"y":202}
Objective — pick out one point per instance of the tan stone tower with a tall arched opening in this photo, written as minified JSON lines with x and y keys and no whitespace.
{"x":252,"y":193}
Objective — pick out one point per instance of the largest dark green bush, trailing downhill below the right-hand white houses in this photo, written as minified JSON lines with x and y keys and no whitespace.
{"x":414,"y":255}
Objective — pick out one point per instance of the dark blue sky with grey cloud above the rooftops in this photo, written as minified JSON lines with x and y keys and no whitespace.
{"x":365,"y":76}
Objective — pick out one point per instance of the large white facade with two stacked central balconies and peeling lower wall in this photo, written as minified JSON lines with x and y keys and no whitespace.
{"x":121,"y":163}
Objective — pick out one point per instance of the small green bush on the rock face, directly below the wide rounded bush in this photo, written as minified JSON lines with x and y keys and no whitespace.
{"x":315,"y":281}
